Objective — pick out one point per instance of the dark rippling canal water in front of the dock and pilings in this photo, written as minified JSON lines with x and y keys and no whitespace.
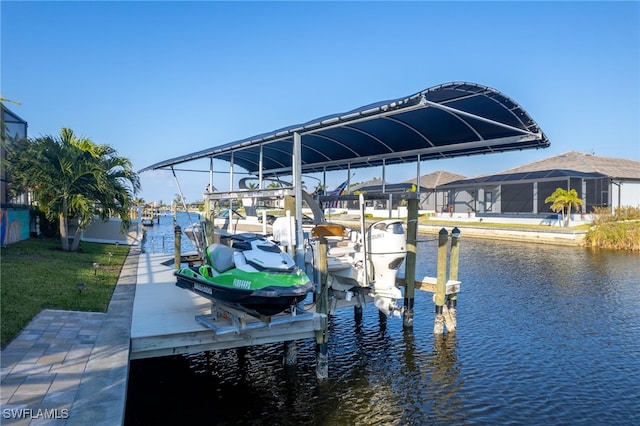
{"x":546,"y":335}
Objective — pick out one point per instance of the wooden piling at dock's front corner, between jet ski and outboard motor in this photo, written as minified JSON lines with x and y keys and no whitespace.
{"x":322,"y":306}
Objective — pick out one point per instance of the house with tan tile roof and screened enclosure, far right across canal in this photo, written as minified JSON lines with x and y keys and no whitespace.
{"x":521,"y":191}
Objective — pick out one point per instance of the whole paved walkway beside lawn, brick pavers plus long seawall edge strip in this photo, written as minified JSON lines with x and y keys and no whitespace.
{"x":71,"y":368}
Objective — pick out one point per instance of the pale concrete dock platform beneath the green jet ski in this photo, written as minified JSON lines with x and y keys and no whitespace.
{"x":164,"y":318}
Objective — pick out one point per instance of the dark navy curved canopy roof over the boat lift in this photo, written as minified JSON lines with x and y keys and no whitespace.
{"x":450,"y":120}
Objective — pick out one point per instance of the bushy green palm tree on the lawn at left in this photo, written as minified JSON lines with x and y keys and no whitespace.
{"x":74,"y":179}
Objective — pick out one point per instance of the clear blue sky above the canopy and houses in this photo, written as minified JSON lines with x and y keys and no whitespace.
{"x":157,"y":80}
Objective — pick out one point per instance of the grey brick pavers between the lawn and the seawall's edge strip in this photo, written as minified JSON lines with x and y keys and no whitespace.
{"x":42,"y":368}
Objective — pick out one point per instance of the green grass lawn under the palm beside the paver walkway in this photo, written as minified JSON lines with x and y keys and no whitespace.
{"x":37,"y":275}
